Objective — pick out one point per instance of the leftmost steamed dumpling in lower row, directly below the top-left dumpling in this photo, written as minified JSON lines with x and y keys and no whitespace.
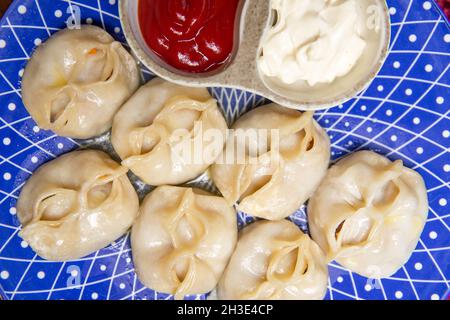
{"x":76,"y":205}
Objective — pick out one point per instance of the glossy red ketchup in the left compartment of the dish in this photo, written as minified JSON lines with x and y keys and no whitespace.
{"x":194,"y":36}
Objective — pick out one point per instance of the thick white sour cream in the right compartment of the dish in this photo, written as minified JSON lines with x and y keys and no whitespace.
{"x":314,"y":41}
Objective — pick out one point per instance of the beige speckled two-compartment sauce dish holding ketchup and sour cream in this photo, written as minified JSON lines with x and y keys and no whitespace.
{"x":242,"y":72}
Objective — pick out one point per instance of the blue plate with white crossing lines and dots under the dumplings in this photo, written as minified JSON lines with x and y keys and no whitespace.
{"x":404,"y":114}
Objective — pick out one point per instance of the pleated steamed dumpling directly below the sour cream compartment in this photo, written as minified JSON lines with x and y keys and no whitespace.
{"x":277,"y":181}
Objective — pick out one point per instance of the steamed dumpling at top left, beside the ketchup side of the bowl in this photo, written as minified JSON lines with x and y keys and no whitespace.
{"x":77,"y":80}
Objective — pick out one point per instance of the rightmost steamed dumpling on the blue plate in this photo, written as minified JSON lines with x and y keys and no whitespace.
{"x":368,"y":214}
